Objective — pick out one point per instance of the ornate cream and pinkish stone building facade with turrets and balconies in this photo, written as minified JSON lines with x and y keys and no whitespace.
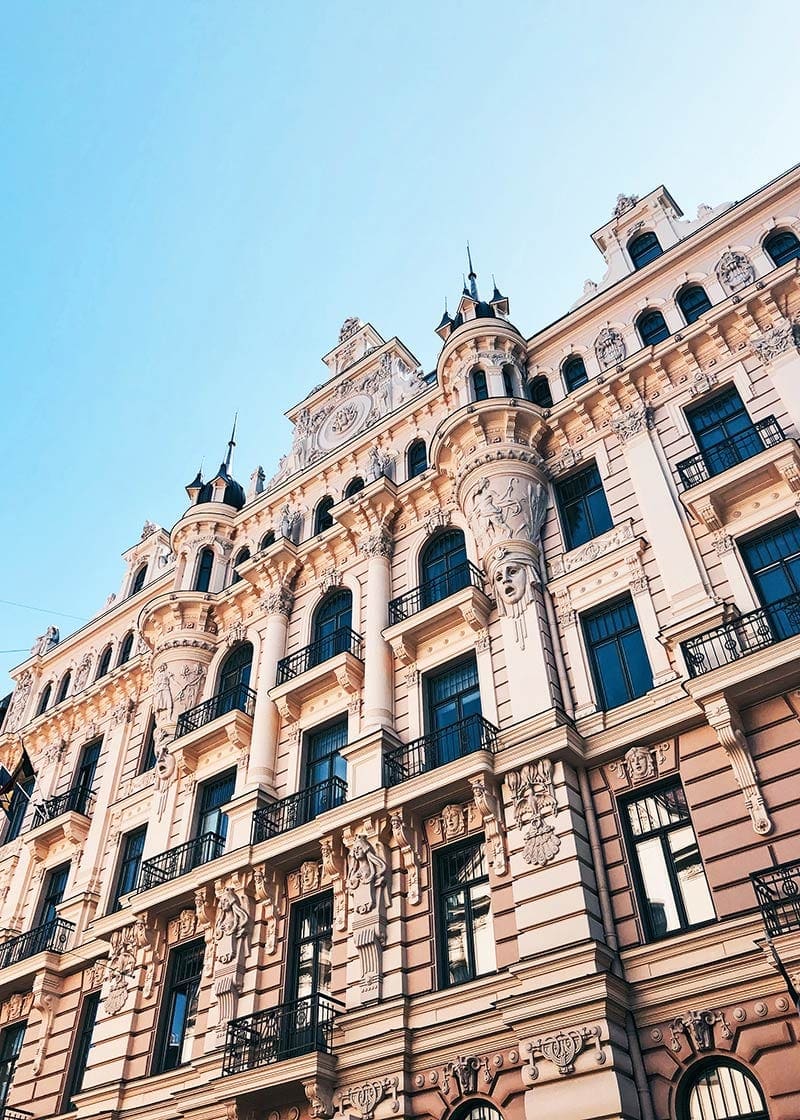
{"x":453,"y":773}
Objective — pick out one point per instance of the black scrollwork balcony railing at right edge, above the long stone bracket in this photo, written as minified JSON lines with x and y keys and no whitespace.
{"x":747,"y":634}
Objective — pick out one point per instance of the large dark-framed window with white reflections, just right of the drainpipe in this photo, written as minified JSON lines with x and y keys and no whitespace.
{"x":671,"y":881}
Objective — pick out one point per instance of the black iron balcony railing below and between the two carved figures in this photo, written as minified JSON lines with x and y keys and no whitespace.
{"x":287,"y":1031}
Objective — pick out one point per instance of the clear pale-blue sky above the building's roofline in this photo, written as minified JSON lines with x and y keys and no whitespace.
{"x":194,"y":197}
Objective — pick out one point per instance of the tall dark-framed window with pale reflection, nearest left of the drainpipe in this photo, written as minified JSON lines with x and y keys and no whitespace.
{"x":467,"y":937}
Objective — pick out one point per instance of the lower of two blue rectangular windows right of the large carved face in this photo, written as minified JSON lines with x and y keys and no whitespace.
{"x":620,"y":666}
